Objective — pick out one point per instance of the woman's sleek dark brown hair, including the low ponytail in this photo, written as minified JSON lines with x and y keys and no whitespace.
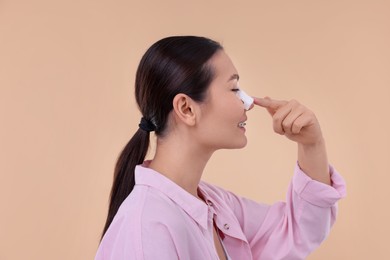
{"x":173,"y":65}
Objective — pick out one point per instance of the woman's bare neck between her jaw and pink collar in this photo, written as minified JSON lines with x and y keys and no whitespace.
{"x":183,"y":165}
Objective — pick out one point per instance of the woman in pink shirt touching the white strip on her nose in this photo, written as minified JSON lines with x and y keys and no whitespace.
{"x":160,"y":209}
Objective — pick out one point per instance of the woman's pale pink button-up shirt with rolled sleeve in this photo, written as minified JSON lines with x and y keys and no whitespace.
{"x":160,"y":220}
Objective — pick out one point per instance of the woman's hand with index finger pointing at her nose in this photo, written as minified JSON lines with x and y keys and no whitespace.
{"x":292,"y":119}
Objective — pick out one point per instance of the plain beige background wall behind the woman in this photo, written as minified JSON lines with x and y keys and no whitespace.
{"x":67,"y":107}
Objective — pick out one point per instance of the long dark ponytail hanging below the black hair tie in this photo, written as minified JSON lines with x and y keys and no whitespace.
{"x":132,"y":154}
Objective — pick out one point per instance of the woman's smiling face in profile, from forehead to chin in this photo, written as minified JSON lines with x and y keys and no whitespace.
{"x":223,"y":111}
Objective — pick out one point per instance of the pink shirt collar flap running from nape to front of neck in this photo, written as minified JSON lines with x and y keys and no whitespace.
{"x":194,"y":207}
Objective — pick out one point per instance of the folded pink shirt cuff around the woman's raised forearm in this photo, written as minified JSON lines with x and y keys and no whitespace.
{"x":318,"y":193}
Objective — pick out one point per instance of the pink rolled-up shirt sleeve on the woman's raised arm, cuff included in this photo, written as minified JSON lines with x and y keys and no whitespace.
{"x":294,"y":228}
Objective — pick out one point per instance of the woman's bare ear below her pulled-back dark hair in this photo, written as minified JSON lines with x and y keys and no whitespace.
{"x":184,"y":108}
